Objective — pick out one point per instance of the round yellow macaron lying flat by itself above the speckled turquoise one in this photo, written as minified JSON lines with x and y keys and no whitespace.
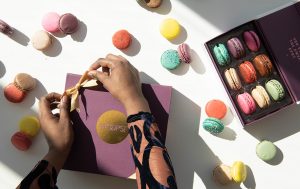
{"x":170,"y":28}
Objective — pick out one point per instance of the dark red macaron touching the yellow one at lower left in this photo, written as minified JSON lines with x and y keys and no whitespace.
{"x":21,"y":141}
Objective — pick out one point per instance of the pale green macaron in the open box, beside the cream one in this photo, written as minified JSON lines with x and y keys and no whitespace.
{"x":275,"y":89}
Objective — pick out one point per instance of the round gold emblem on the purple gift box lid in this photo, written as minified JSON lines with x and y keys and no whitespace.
{"x":112,"y":127}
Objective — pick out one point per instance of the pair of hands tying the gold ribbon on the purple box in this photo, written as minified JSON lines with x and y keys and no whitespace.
{"x":118,"y":76}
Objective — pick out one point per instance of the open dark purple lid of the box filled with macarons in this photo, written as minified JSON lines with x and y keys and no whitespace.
{"x":281,"y":31}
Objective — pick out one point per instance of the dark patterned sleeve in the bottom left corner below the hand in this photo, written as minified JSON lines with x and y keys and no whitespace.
{"x":43,"y":175}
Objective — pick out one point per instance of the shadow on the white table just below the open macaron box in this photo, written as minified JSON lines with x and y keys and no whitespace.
{"x":278,"y":126}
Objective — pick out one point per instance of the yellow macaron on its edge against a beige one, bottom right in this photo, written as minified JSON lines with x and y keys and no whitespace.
{"x":239,"y":171}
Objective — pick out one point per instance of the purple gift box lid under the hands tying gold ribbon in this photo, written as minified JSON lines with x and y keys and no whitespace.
{"x":89,"y":153}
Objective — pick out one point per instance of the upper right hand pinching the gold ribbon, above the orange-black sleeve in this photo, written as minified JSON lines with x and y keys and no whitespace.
{"x":122,"y":80}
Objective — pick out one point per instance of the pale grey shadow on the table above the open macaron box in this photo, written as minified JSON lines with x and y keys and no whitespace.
{"x":230,"y":13}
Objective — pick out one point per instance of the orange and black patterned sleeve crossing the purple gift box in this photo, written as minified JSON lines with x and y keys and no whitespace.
{"x":153,"y":165}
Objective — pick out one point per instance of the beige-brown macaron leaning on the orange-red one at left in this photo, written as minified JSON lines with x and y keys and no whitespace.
{"x":25,"y":82}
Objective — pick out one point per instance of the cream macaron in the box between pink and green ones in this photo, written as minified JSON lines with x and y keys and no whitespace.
{"x":261,"y":96}
